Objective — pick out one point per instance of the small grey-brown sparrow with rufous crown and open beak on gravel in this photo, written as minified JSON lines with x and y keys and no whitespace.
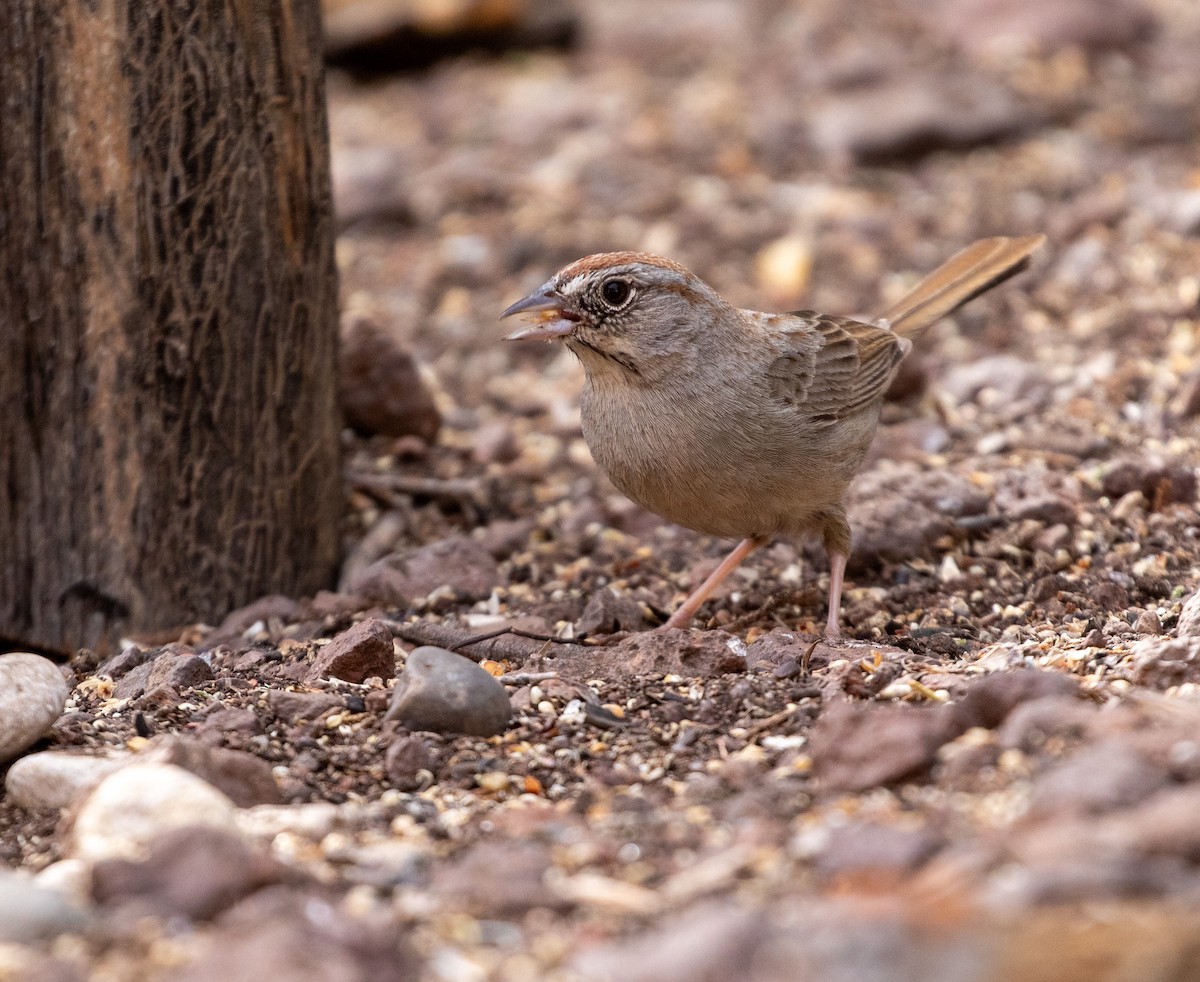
{"x":731,"y":422}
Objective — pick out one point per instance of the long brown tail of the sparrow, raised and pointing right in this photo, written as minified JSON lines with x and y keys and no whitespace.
{"x":963,"y":278}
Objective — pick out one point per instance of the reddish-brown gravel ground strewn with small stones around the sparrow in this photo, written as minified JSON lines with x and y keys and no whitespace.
{"x":994,"y":777}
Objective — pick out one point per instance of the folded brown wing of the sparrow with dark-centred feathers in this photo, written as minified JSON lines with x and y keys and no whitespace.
{"x":832,"y":367}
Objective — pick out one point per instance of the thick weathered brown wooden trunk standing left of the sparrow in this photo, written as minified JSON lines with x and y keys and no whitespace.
{"x":167,"y":315}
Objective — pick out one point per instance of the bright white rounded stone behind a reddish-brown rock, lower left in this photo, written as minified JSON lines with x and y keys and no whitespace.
{"x":131,"y":807}
